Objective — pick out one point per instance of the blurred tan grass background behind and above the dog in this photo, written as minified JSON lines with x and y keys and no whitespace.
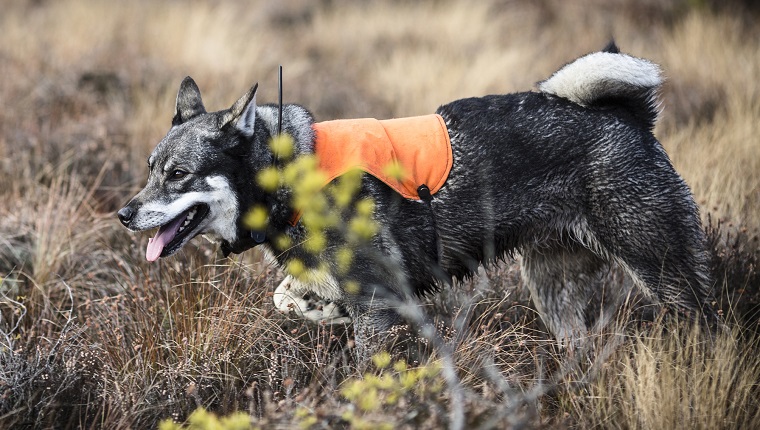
{"x":88,"y":86}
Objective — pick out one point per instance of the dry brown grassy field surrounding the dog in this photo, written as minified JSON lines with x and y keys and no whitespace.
{"x":94,"y":336}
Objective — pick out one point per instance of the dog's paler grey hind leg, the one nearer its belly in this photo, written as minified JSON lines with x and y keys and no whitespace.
{"x":565,"y":281}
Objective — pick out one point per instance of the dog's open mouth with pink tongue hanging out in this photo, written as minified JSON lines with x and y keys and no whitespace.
{"x":174,"y":234}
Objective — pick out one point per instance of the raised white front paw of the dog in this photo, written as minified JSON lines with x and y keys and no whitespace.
{"x":289,"y":296}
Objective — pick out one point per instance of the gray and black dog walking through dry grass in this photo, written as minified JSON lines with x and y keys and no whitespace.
{"x":570,"y":176}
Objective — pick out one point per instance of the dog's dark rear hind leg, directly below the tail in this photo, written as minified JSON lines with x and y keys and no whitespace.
{"x":660,"y":242}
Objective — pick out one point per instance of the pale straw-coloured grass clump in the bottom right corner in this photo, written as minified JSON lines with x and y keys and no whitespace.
{"x":674,"y":379}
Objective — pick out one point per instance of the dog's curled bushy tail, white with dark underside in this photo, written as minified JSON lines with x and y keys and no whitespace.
{"x":610,"y":78}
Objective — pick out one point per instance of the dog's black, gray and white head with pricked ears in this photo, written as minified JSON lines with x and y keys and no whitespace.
{"x":196,"y":173}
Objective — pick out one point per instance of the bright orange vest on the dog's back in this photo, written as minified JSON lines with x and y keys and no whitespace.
{"x":420,"y":146}
